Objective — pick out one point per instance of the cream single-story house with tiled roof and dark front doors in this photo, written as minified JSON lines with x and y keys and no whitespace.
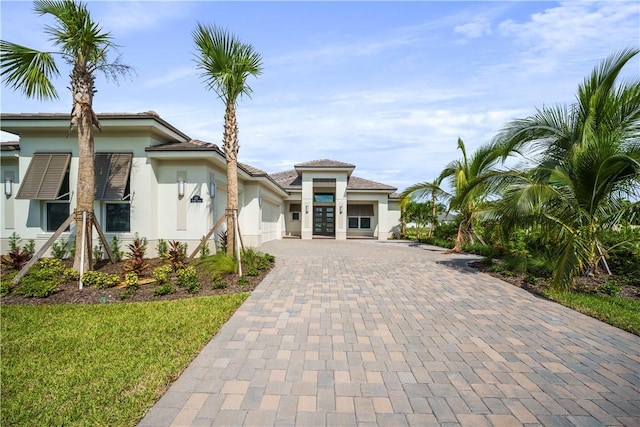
{"x":154,"y":180}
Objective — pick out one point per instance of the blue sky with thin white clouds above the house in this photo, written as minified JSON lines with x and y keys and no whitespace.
{"x":386,"y":86}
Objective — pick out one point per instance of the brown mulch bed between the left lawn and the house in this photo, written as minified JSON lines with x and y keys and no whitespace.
{"x":69,"y":293}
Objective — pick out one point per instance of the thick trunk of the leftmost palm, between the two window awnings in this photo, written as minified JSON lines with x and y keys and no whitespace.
{"x":84,"y":118}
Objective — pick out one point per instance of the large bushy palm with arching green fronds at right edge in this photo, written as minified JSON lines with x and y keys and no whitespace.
{"x":587,"y":163}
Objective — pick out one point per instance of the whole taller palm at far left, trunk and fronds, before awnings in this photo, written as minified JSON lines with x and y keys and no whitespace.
{"x":84,"y":46}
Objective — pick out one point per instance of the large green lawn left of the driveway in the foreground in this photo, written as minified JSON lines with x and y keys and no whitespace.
{"x":99,"y":365}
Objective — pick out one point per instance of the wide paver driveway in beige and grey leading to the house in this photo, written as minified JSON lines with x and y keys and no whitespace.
{"x":393,"y":333}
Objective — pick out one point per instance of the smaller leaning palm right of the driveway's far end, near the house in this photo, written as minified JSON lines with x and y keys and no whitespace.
{"x":466,"y":196}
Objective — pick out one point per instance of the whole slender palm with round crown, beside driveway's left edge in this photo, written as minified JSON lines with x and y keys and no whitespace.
{"x":226,"y":63}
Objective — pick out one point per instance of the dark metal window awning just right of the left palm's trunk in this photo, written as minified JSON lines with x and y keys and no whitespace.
{"x":112,"y":175}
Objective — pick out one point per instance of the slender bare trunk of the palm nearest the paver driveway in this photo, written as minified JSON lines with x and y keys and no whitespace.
{"x":231,"y":148}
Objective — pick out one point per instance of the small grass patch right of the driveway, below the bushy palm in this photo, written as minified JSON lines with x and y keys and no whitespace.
{"x":619,"y":312}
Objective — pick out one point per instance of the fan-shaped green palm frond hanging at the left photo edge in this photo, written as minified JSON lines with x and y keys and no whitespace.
{"x":28,"y":70}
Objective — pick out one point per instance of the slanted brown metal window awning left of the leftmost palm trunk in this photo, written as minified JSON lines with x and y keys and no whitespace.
{"x":44,"y":176}
